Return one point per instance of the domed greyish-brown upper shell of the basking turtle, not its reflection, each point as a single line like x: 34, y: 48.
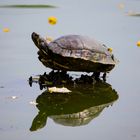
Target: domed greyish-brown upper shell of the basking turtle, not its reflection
x: 82, y: 47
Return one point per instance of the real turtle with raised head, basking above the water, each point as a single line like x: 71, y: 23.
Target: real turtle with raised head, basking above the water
x: 75, y: 53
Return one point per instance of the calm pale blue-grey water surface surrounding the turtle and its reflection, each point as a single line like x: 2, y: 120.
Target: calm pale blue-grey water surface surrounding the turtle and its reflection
x: 104, y: 21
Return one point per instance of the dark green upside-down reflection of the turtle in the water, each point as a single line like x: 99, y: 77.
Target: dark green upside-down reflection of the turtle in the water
x: 76, y: 108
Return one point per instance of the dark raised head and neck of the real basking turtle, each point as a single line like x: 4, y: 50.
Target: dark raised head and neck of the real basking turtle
x: 39, y: 41
